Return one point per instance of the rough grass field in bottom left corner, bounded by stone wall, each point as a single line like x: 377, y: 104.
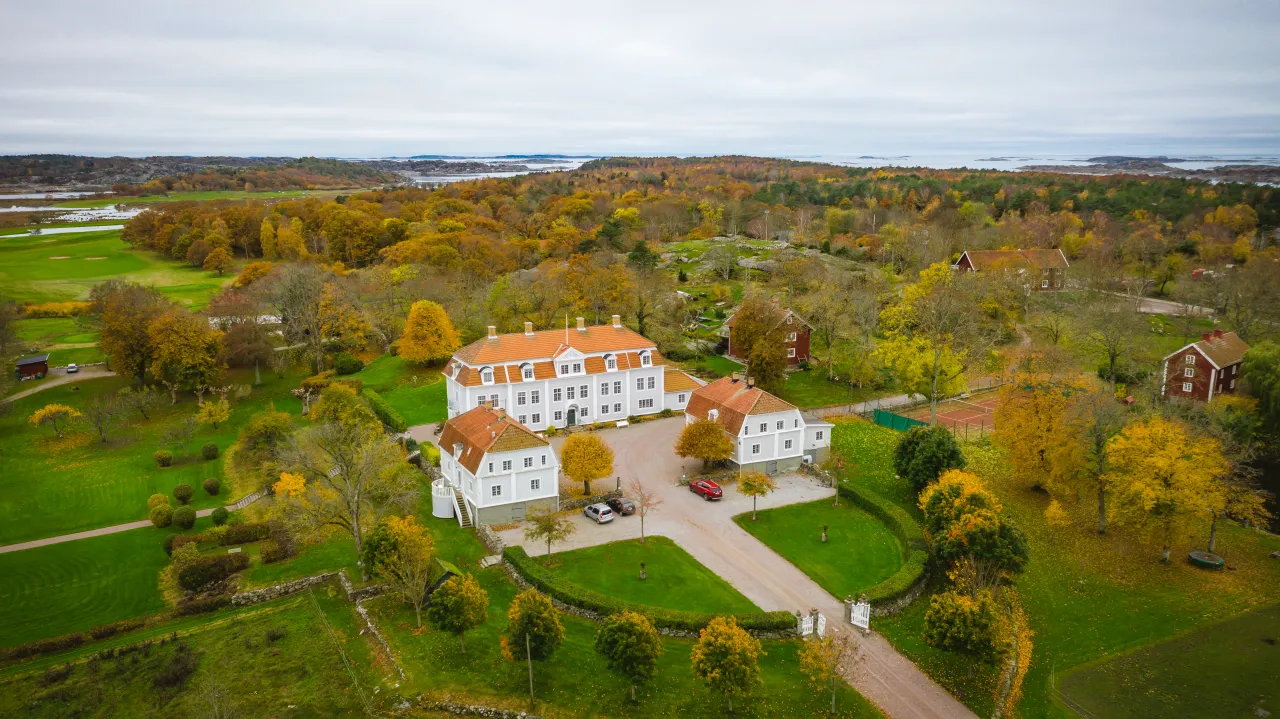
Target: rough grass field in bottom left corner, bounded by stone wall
x: 299, y: 674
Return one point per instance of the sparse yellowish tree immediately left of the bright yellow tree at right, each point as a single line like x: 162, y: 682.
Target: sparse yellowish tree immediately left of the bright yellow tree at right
x: 1080, y: 459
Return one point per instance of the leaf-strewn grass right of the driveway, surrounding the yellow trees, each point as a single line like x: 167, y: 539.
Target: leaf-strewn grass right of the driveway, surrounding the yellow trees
x: 1087, y: 597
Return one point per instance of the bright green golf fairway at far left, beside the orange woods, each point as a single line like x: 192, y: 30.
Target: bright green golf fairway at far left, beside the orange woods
x: 65, y: 268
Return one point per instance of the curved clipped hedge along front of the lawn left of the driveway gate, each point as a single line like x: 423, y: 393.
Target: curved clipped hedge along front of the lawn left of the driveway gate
x: 583, y: 598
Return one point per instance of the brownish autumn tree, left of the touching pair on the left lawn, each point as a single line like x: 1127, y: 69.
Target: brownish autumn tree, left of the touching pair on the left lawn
x: 126, y: 312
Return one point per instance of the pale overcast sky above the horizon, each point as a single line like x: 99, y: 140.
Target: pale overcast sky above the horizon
x: 639, y: 77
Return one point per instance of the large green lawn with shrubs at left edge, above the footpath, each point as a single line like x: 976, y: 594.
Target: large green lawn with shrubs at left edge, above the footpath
x: 53, y: 487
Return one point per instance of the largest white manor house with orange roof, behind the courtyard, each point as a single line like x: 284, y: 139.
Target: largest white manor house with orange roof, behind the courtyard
x: 566, y: 378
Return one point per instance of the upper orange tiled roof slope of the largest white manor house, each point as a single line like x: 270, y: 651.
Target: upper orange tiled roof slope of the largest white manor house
x: 545, y: 345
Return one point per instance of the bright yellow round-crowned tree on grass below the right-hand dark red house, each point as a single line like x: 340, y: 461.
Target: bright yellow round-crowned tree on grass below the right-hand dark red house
x: 1165, y: 477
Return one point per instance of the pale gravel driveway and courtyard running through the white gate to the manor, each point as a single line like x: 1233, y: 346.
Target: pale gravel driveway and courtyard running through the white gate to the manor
x: 707, y: 532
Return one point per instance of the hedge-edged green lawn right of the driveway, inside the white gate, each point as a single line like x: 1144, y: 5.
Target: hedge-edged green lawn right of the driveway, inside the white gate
x: 861, y: 552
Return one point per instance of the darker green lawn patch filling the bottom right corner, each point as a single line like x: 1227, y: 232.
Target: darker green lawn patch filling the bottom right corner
x: 1232, y: 670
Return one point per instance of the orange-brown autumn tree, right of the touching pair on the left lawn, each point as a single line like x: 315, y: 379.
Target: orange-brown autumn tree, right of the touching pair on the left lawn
x: 188, y: 351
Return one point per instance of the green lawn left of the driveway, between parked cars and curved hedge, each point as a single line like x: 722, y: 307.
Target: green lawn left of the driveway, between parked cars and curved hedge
x: 675, y: 579
